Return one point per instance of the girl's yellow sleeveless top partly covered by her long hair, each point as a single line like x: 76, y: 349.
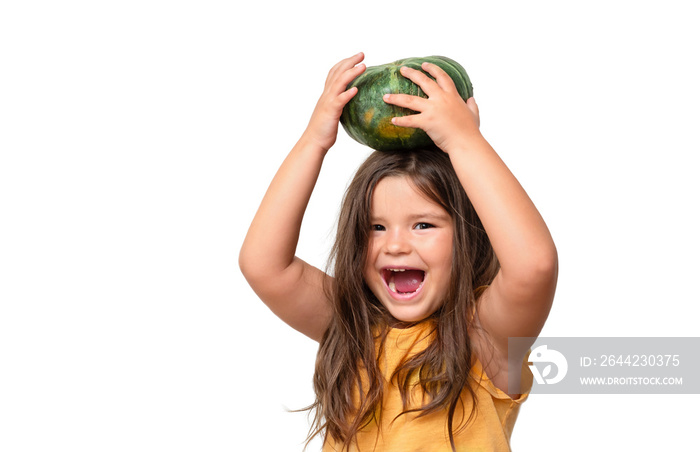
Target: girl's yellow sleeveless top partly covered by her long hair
x: 489, y: 430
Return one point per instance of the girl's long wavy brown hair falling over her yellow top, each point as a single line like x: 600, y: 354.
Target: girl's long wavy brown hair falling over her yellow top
x: 348, y: 382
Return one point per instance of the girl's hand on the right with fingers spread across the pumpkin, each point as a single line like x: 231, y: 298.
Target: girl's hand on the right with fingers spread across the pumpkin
x: 449, y: 121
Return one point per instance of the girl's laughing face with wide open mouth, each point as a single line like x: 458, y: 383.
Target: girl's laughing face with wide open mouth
x: 410, y: 250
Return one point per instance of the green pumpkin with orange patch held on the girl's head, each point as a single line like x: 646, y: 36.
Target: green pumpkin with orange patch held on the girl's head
x: 367, y: 118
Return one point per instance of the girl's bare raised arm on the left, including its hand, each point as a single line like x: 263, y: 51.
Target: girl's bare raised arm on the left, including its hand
x: 290, y: 287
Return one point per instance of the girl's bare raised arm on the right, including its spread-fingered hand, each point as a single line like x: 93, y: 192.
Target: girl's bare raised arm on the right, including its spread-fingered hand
x: 518, y: 301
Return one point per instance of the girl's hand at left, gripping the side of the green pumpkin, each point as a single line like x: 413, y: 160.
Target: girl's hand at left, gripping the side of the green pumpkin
x: 323, y: 125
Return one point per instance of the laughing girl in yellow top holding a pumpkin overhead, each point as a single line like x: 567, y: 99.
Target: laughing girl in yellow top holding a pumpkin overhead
x: 440, y: 257
